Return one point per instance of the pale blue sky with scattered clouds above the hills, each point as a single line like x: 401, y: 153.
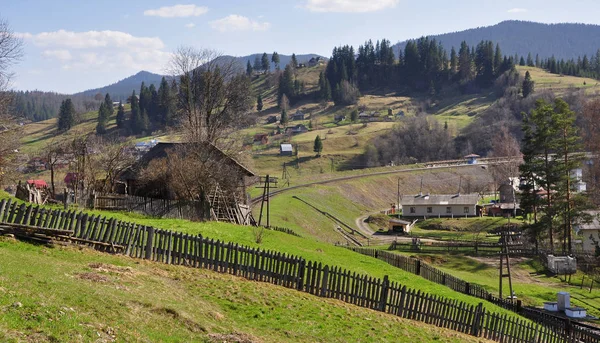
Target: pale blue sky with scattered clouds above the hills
x: 74, y: 45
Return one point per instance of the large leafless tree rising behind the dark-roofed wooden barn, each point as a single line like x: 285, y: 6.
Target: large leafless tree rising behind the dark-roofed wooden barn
x: 214, y: 96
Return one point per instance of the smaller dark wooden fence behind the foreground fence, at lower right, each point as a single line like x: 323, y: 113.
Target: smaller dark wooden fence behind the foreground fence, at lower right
x: 578, y: 331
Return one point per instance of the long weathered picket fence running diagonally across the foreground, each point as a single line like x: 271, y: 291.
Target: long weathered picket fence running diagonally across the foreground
x: 288, y: 271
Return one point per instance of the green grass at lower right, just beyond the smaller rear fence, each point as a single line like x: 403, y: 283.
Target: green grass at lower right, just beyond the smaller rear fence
x: 530, y: 284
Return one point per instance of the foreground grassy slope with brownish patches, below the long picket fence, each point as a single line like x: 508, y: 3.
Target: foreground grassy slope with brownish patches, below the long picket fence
x: 68, y: 294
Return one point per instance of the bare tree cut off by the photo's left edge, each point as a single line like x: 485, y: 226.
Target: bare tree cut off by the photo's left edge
x: 11, y: 51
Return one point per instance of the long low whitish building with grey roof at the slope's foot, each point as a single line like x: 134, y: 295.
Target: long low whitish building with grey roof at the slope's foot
x: 428, y: 206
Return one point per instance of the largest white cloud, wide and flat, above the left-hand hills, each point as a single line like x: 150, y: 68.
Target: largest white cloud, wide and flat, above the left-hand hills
x: 101, y: 50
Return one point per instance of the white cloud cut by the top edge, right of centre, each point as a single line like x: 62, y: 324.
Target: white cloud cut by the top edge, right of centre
x: 349, y: 6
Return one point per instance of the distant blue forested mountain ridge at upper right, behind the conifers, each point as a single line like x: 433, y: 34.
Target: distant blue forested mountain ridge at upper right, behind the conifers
x: 563, y: 41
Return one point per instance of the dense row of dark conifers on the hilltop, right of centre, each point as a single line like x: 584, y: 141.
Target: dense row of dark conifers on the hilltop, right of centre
x: 424, y: 66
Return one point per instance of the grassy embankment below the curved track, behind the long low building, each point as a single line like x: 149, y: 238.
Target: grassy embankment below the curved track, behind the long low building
x: 350, y: 199
